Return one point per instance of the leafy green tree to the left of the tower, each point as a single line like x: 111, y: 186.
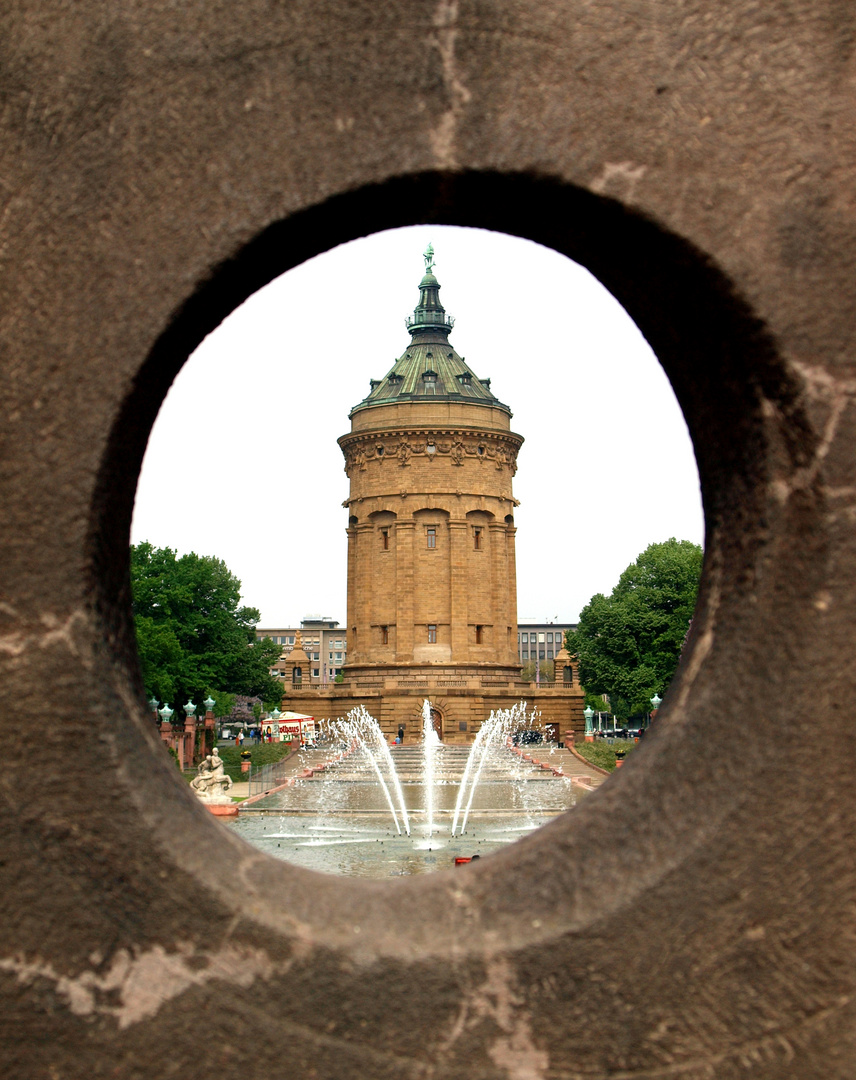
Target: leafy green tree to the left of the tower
x: 194, y: 637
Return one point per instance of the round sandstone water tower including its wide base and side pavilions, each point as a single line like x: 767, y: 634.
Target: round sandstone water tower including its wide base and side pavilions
x: 432, y: 591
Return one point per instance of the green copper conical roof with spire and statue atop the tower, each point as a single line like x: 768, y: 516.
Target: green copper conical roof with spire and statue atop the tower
x: 430, y: 369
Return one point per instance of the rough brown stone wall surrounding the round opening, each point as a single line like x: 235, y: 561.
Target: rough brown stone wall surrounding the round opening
x: 160, y: 163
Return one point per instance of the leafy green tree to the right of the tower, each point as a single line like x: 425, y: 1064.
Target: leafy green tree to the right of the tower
x: 629, y: 644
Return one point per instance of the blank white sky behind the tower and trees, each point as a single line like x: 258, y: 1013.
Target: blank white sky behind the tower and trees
x: 243, y: 462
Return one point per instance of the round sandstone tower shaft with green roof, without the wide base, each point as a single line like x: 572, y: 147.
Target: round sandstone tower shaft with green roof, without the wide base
x: 431, y: 560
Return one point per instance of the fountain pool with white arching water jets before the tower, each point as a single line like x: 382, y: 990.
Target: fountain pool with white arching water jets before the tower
x: 375, y: 812
